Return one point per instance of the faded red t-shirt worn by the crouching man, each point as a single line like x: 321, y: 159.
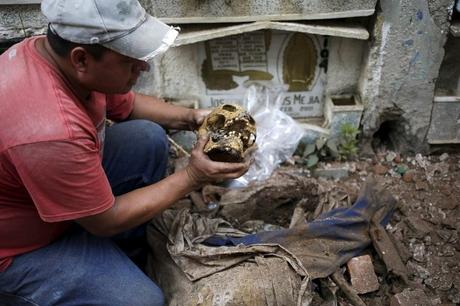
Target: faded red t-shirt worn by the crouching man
x: 50, y: 151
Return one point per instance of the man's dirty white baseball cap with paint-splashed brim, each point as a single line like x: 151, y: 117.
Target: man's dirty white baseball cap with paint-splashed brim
x: 120, y: 25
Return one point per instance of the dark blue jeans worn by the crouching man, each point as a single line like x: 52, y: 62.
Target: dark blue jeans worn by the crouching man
x: 80, y: 268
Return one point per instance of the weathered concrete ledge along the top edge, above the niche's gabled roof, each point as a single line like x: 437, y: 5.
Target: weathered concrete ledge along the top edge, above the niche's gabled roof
x: 205, y: 11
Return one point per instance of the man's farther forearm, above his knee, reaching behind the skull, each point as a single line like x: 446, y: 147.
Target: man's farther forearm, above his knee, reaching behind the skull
x: 165, y: 114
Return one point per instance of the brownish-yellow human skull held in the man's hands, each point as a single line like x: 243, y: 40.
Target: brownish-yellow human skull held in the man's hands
x: 231, y: 132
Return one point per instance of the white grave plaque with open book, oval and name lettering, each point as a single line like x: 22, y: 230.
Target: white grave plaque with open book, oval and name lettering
x: 293, y: 64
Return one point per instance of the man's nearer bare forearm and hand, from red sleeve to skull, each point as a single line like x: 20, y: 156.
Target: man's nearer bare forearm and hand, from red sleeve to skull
x: 139, y: 206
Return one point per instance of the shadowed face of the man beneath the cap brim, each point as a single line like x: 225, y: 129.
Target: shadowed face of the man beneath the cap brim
x: 113, y: 73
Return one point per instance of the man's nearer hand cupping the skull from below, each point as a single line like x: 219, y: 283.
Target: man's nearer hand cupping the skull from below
x: 203, y: 170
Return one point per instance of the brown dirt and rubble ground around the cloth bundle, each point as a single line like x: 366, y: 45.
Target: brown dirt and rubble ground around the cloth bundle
x: 425, y: 226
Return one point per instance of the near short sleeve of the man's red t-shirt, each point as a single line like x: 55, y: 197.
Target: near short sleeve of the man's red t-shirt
x: 65, y: 179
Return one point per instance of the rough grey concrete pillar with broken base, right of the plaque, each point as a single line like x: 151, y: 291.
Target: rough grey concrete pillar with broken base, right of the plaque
x: 402, y: 64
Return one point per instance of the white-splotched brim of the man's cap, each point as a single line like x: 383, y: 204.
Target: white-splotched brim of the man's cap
x: 151, y: 38
